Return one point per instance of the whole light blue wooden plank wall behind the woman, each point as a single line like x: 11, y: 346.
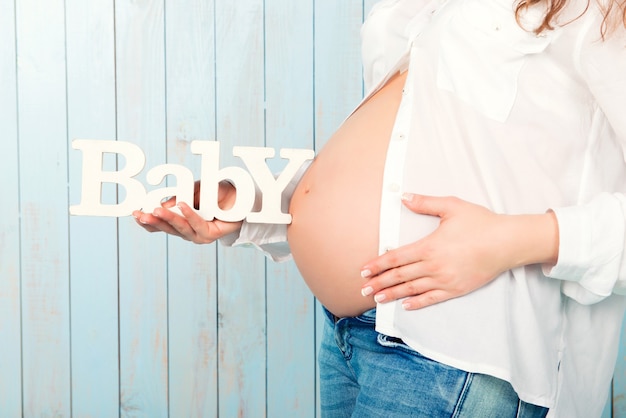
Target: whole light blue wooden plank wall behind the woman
x: 99, y: 318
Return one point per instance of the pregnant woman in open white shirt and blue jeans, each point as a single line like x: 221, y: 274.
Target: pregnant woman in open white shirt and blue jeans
x: 465, y: 226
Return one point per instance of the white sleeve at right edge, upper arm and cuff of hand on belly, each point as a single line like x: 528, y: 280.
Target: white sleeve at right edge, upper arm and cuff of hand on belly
x: 592, y: 257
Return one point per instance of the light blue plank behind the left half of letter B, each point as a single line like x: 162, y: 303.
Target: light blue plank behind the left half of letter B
x: 93, y: 240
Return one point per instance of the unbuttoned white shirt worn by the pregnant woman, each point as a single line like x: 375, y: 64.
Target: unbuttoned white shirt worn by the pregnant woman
x: 518, y: 123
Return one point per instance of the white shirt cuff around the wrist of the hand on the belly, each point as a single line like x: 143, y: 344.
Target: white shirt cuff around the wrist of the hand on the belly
x: 591, y: 247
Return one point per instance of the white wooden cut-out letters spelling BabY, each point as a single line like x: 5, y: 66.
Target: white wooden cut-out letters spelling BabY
x: 211, y: 174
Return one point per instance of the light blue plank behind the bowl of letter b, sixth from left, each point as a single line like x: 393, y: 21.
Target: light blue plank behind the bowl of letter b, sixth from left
x: 241, y: 275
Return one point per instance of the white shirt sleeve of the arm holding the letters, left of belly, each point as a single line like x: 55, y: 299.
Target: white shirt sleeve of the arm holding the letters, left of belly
x: 270, y: 239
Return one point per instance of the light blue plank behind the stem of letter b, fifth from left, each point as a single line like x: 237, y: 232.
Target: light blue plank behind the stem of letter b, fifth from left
x: 192, y: 269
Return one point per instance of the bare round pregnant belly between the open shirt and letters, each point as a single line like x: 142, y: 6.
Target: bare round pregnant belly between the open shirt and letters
x: 335, y: 208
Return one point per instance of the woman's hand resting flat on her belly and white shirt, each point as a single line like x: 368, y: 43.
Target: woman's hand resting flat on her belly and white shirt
x: 471, y: 246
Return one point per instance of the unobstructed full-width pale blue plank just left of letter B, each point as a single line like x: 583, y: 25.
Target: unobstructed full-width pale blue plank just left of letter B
x: 43, y: 192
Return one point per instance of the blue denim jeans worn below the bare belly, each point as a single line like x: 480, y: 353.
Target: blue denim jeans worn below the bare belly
x: 367, y: 374
